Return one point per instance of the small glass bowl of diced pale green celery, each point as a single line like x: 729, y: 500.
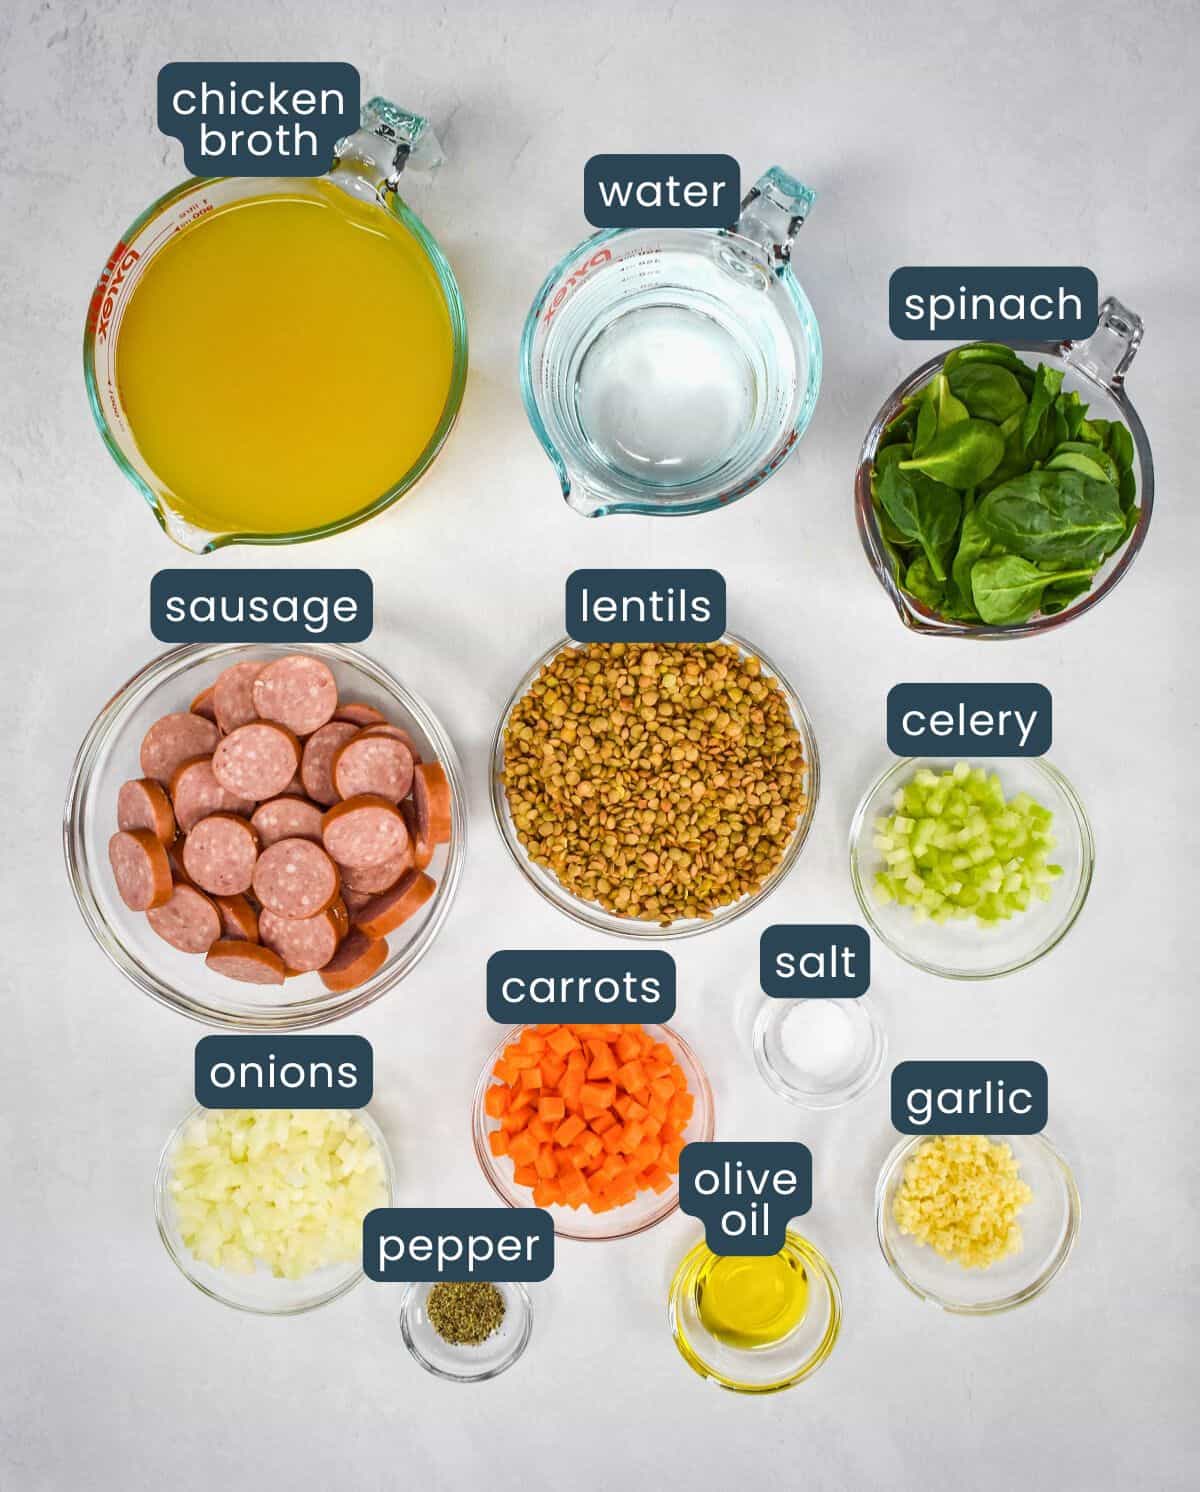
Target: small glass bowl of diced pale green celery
x: 971, y: 869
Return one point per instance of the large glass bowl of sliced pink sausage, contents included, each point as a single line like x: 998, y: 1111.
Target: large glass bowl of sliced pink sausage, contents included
x: 263, y: 838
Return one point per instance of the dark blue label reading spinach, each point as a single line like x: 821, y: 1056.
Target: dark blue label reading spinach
x: 957, y: 304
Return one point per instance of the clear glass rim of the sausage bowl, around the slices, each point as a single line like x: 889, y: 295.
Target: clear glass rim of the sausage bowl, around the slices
x: 299, y: 1015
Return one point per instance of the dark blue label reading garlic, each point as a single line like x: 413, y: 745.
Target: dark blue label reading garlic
x: 969, y: 1097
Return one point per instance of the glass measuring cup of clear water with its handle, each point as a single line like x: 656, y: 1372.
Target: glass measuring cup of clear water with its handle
x: 672, y: 371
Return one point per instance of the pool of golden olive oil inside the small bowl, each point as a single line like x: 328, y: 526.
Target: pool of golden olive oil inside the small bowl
x: 753, y: 1302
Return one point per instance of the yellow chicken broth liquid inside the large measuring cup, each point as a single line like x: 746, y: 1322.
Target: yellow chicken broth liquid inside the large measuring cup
x: 286, y: 360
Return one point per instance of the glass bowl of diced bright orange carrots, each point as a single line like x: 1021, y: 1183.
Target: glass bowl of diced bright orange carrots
x: 589, y: 1121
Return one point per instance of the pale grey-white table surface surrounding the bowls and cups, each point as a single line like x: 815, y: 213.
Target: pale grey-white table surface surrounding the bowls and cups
x: 984, y: 134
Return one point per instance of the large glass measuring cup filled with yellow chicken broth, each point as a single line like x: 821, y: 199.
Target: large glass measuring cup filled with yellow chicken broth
x: 278, y: 359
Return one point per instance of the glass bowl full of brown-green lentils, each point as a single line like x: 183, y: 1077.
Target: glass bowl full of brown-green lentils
x: 654, y: 790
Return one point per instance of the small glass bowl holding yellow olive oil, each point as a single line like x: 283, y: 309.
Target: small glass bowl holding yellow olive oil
x: 756, y: 1326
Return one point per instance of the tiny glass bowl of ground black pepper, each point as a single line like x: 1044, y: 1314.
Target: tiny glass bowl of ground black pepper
x: 466, y: 1332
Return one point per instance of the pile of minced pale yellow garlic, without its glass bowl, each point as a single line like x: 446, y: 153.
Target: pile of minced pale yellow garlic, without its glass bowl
x: 962, y: 1194
